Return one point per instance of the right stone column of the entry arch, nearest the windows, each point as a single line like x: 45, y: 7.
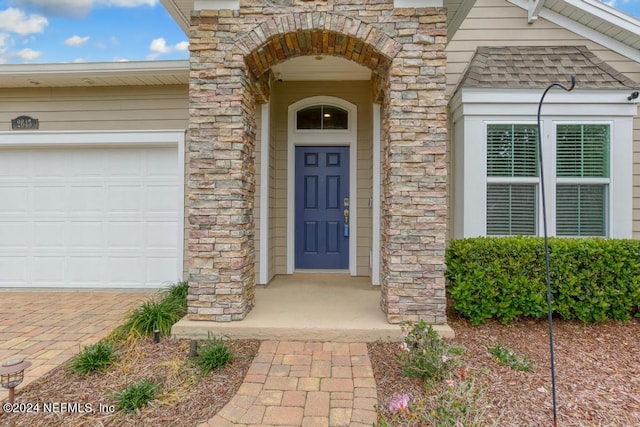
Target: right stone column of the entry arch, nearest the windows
x: 414, y: 208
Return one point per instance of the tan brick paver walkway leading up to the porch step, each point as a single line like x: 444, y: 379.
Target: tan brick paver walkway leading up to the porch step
x: 304, y: 384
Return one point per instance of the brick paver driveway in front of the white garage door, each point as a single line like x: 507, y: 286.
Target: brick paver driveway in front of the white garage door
x: 48, y: 327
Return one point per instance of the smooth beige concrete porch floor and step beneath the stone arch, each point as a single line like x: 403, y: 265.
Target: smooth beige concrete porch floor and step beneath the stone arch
x: 309, y: 307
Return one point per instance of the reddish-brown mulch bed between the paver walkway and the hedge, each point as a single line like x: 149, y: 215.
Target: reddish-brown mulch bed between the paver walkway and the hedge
x: 597, y: 370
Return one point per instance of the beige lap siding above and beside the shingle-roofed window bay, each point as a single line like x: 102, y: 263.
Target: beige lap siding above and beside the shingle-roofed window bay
x: 500, y: 23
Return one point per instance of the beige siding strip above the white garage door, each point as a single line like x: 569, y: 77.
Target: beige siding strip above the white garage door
x: 100, y: 108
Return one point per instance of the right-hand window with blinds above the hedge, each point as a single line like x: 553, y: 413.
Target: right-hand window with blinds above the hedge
x: 582, y: 179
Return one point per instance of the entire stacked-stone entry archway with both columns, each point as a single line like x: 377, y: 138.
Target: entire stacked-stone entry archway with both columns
x: 231, y: 53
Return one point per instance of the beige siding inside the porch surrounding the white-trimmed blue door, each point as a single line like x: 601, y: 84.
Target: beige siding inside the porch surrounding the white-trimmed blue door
x: 287, y: 93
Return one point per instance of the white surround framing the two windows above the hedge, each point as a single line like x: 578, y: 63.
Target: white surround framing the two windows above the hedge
x: 473, y: 108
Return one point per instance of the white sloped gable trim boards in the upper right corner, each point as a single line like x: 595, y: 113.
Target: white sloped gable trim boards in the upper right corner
x: 584, y: 31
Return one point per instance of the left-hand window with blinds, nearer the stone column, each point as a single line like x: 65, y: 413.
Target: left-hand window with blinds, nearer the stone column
x: 512, y: 179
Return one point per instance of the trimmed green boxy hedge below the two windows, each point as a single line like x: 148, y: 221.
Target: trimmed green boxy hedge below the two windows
x: 504, y: 278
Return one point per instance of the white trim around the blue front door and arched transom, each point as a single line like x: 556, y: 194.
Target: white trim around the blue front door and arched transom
x: 350, y: 138
